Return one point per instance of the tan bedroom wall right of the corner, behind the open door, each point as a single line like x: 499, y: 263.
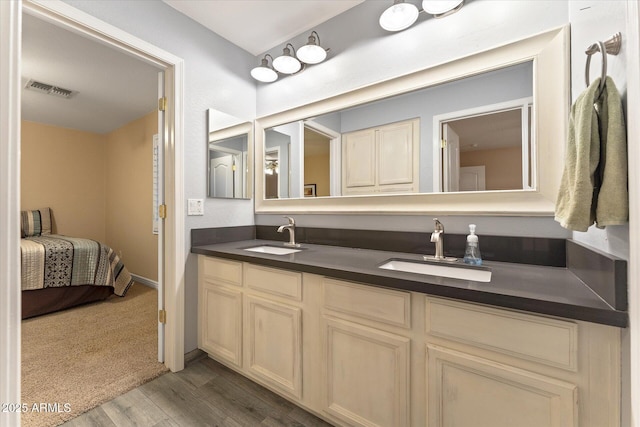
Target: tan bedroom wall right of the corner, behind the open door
x: 129, y: 195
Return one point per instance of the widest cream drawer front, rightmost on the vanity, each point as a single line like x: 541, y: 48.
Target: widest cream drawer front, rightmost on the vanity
x: 548, y: 341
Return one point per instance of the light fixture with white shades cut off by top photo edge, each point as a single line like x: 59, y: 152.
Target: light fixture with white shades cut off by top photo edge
x: 402, y: 15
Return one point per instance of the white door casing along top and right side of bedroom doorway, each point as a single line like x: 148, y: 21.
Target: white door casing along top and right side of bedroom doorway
x: 88, y: 26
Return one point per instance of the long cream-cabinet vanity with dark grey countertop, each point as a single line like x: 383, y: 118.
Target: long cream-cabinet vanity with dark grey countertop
x: 358, y: 345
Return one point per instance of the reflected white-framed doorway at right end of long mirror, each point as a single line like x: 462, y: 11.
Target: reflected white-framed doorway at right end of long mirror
x: 494, y: 141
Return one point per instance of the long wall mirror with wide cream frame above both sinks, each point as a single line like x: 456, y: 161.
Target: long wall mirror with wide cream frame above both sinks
x: 482, y: 134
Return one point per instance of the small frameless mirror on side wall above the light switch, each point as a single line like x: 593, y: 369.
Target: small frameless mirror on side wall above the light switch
x: 229, y: 143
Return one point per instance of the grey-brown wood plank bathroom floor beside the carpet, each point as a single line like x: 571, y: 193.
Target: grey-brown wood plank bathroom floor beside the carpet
x: 205, y: 393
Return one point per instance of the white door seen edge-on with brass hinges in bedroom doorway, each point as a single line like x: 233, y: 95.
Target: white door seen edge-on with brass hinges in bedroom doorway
x: 161, y: 202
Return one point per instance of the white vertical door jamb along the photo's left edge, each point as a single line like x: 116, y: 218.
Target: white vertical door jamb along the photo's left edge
x: 10, y: 298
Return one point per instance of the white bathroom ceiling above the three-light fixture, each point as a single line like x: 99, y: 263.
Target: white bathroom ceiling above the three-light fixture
x: 259, y: 25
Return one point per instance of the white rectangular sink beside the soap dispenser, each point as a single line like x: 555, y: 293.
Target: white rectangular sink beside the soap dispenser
x: 464, y: 272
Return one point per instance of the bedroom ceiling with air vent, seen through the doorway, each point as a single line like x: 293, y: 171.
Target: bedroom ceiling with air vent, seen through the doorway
x: 113, y: 88
